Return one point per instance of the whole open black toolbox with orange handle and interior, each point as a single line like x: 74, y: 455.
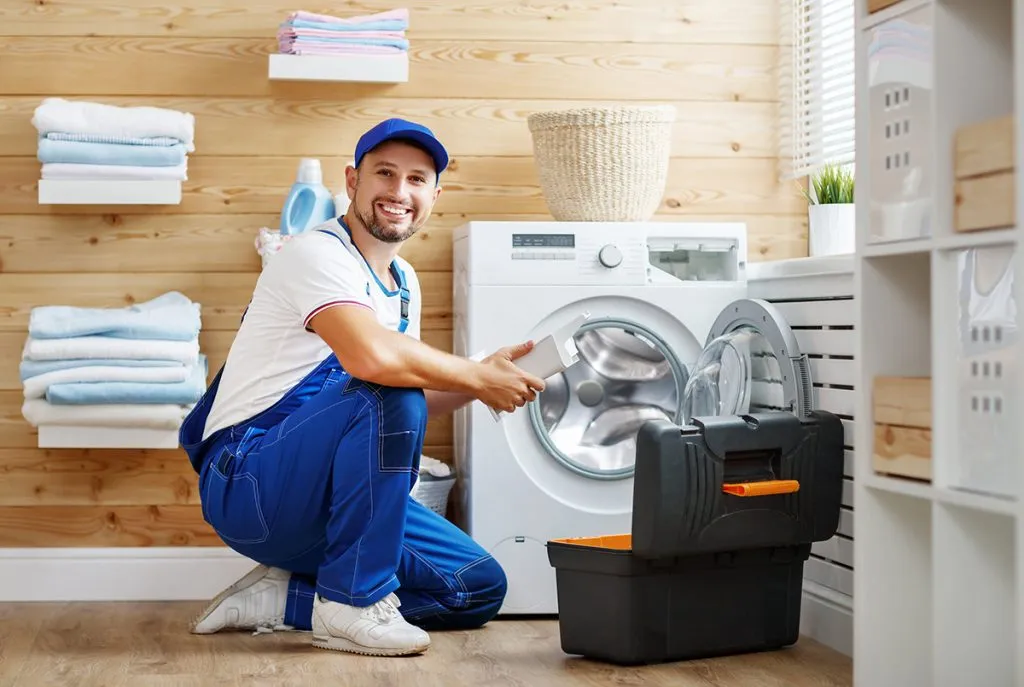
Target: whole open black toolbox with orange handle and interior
x: 724, y: 514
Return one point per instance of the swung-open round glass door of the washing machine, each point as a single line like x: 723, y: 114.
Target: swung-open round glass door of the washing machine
x: 751, y: 364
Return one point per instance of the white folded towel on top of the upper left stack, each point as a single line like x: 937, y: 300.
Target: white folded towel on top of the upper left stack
x: 63, y: 116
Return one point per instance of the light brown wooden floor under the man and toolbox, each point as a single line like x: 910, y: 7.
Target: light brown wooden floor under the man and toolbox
x: 148, y: 646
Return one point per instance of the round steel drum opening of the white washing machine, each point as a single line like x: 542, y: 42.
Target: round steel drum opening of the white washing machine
x: 588, y: 416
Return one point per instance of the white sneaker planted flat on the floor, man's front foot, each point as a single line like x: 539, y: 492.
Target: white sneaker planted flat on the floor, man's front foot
x: 374, y: 631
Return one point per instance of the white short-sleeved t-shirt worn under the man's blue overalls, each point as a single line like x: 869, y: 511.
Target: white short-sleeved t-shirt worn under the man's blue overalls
x: 274, y: 350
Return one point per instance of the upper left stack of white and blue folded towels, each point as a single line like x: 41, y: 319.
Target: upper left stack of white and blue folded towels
x: 91, y: 141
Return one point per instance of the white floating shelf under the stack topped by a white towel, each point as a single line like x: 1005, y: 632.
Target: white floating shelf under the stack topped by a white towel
x: 110, y: 192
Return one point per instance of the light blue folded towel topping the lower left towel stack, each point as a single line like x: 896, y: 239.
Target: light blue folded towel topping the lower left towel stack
x: 170, y: 317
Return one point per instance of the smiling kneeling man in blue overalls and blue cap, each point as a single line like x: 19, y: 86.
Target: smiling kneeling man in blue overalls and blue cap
x: 308, y: 443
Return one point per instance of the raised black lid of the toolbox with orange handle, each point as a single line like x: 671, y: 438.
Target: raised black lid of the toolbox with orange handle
x: 735, y: 483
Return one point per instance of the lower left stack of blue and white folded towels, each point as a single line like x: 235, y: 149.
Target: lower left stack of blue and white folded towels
x: 134, y: 367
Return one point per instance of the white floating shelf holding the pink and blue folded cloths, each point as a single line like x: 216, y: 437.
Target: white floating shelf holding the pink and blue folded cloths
x: 390, y: 69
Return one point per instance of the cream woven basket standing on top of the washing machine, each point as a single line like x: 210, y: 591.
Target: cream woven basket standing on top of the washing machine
x: 604, y: 164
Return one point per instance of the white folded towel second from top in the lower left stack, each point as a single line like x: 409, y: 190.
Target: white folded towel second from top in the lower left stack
x: 186, y: 353
